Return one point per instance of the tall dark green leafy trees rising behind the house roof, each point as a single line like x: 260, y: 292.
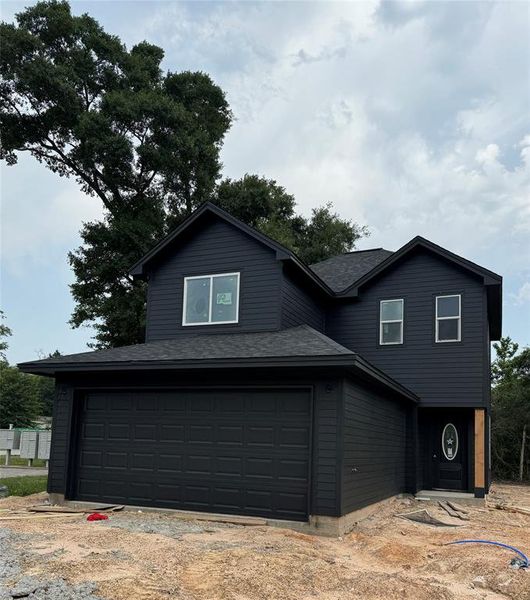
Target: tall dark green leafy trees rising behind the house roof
x: 145, y: 142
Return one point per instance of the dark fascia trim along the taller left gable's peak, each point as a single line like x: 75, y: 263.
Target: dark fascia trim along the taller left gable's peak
x: 282, y: 253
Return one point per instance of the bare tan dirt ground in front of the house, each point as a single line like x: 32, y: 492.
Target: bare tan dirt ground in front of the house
x: 151, y: 556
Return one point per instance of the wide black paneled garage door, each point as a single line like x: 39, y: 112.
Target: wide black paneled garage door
x: 231, y: 451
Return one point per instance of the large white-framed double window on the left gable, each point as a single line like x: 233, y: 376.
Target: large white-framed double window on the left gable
x: 211, y: 299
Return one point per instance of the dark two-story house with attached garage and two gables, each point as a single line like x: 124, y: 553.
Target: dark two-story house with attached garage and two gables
x: 272, y: 388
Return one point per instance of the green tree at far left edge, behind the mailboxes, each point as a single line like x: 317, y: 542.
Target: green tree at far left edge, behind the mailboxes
x: 19, y: 401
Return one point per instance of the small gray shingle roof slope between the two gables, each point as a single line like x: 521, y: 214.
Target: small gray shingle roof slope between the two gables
x: 339, y: 272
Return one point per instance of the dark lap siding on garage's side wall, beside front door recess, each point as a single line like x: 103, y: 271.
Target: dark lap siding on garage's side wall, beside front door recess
x: 375, y: 442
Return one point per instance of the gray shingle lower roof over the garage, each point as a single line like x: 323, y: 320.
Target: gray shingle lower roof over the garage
x: 300, y: 346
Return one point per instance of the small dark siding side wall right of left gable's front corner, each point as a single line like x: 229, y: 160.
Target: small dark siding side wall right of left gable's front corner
x: 298, y: 307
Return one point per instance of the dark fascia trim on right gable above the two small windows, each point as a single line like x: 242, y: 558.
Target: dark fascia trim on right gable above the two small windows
x: 489, y: 277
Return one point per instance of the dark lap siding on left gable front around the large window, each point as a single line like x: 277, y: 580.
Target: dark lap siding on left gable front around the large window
x: 217, y: 248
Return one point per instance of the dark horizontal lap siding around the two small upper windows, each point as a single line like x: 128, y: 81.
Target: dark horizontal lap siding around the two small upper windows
x: 442, y: 374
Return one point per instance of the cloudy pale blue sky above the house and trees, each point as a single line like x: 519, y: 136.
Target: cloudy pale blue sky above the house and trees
x: 411, y: 118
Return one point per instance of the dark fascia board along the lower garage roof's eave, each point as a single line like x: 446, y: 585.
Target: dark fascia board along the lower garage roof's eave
x: 351, y: 362
